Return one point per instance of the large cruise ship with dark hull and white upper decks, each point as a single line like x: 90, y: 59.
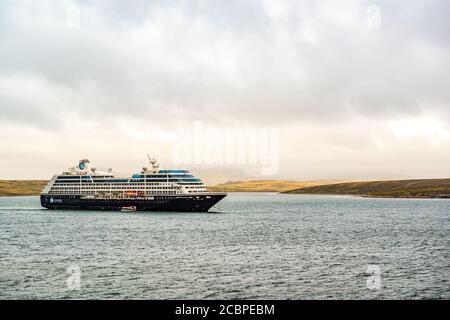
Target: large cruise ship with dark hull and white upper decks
x: 153, y: 189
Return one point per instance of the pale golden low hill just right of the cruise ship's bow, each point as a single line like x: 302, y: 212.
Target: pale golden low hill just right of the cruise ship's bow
x: 267, y: 185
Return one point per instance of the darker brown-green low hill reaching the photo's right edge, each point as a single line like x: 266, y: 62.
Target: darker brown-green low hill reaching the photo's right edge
x: 421, y: 188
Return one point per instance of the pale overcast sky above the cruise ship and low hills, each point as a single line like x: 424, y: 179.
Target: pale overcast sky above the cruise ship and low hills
x: 357, y: 89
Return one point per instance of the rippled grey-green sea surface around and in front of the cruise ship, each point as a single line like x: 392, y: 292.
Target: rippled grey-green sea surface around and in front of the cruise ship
x: 255, y: 246
